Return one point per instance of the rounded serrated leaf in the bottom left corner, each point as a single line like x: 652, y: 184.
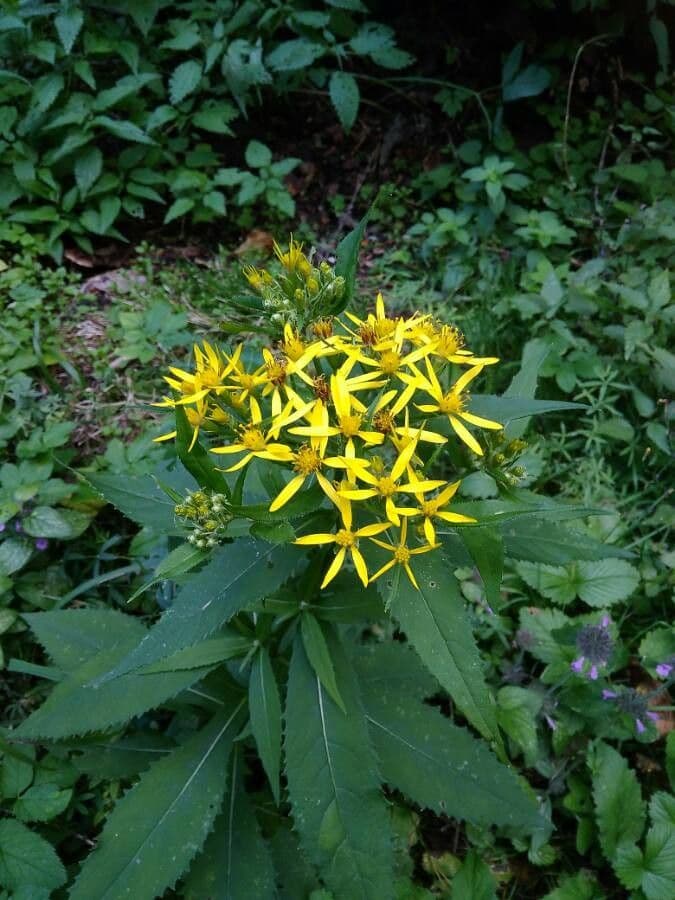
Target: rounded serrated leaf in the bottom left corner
x: 27, y: 859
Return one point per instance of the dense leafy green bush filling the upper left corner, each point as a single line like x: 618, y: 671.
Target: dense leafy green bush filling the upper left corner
x: 111, y: 115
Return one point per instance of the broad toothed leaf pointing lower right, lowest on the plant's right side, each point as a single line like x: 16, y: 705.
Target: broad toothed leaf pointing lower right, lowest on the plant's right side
x: 439, y: 765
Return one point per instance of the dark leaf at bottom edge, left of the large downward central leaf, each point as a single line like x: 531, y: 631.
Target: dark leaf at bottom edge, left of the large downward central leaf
x: 235, y: 863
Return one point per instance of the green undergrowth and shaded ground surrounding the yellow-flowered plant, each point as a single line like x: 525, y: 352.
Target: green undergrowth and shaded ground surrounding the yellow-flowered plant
x: 522, y: 163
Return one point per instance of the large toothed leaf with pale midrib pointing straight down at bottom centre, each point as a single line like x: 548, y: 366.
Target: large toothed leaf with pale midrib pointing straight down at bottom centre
x: 333, y: 784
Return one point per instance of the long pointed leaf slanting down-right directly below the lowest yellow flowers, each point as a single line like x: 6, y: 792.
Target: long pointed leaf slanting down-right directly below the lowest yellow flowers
x: 437, y: 625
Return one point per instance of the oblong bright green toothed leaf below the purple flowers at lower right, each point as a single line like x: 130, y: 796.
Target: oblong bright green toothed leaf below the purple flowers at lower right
x: 619, y: 808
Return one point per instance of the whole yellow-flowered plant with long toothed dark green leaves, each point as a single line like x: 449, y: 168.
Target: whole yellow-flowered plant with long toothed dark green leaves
x: 313, y: 524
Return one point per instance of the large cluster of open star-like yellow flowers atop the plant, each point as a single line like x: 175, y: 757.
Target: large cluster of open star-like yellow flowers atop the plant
x: 347, y: 407
